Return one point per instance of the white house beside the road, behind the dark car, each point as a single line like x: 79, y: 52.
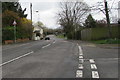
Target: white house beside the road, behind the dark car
x: 37, y: 33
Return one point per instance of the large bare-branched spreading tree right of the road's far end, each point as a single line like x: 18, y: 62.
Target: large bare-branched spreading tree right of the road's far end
x: 71, y: 14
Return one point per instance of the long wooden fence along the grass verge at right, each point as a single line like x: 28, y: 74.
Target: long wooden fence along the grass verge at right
x: 99, y: 33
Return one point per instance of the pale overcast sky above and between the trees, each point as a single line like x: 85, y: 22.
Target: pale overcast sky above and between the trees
x: 48, y: 9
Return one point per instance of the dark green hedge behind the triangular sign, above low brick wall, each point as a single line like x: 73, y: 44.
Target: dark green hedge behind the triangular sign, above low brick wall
x: 8, y: 33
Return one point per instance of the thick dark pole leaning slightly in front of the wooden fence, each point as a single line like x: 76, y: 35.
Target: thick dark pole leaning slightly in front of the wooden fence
x: 108, y: 20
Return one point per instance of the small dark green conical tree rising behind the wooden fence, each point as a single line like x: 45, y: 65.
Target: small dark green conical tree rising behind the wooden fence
x: 90, y: 22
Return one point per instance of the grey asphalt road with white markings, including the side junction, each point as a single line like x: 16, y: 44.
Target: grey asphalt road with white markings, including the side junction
x: 58, y: 58
